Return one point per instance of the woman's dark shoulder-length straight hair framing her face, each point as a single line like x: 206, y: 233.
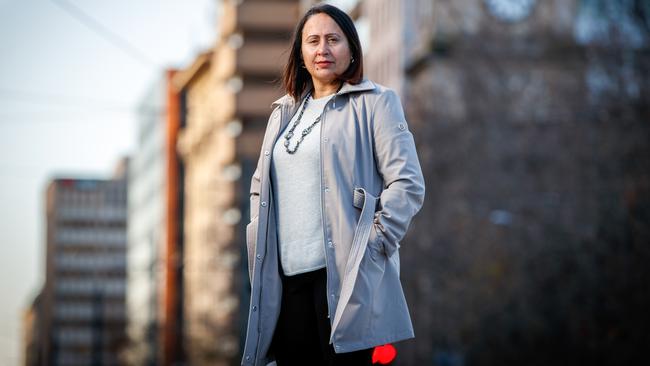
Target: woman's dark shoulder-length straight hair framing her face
x: 296, y: 78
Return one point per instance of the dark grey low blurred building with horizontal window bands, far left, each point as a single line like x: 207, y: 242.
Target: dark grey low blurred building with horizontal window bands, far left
x: 83, y: 301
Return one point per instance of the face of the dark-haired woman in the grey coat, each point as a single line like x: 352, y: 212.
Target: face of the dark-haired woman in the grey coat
x: 325, y: 49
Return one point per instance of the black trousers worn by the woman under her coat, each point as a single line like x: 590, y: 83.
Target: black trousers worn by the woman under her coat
x: 302, y: 334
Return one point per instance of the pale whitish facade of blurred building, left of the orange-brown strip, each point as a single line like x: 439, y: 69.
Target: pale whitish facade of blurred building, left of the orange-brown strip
x: 146, y: 232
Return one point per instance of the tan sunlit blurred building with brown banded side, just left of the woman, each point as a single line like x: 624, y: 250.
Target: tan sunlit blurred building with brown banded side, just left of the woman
x: 226, y: 97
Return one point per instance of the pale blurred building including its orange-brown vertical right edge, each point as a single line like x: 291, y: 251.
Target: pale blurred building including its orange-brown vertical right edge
x: 154, y: 276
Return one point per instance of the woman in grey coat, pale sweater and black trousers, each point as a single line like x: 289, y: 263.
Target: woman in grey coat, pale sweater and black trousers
x: 336, y: 185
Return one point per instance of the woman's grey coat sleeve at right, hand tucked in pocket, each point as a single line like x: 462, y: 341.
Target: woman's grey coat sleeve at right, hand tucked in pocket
x: 397, y: 163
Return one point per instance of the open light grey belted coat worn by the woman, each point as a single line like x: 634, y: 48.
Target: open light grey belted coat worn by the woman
x: 371, y: 187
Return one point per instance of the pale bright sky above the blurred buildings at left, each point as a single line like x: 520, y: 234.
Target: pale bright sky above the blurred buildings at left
x: 72, y: 73
